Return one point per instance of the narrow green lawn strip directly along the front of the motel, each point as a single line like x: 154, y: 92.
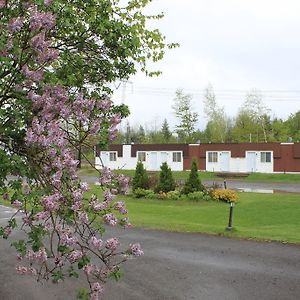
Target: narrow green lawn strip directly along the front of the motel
x: 254, y: 177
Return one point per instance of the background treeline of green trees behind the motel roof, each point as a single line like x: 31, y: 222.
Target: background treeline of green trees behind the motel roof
x: 254, y: 122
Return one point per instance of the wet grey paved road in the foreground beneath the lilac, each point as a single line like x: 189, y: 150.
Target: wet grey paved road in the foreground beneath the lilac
x: 179, y: 267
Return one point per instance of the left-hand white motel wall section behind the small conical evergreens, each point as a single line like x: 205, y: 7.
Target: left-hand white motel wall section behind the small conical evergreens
x: 129, y: 163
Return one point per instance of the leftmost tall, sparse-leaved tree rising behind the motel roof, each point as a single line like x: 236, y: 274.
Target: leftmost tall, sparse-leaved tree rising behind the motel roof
x: 187, y: 118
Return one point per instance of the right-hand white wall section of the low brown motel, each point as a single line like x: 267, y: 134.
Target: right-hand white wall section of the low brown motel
x: 241, y: 164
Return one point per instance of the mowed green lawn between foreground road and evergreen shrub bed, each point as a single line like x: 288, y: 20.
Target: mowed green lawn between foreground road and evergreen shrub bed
x: 256, y: 216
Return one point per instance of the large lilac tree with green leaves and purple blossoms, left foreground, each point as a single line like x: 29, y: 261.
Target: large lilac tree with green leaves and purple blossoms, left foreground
x: 57, y: 62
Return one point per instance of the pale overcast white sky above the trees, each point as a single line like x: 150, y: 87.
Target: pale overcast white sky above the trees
x: 234, y: 45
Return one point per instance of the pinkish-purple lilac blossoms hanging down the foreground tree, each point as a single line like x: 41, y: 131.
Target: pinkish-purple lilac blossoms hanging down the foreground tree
x: 70, y: 220
